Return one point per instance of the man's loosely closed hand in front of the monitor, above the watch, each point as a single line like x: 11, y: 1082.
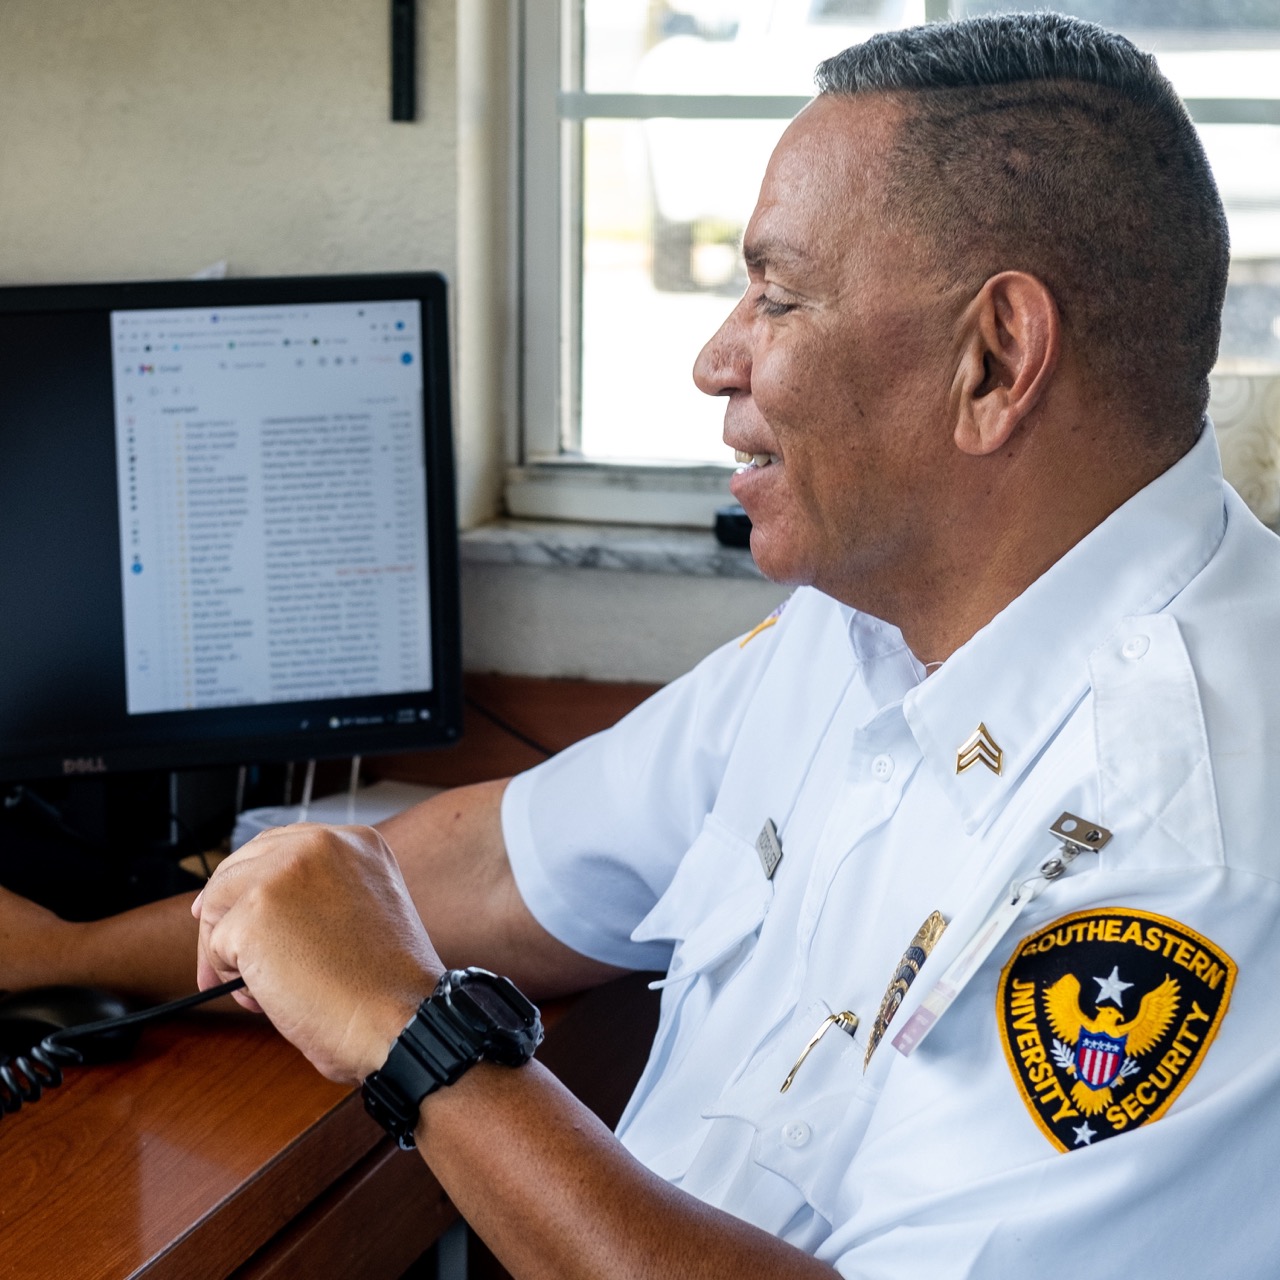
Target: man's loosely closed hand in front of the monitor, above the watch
x: 321, y: 926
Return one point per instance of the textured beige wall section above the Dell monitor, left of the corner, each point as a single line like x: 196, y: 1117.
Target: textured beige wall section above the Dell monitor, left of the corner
x: 150, y: 138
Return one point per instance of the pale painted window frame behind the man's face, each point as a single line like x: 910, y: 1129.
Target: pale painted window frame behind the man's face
x: 546, y: 479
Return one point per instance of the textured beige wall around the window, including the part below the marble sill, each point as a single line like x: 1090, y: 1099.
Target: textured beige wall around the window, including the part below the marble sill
x: 148, y: 139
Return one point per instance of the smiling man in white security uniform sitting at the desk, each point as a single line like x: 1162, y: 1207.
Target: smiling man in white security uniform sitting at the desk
x: 918, y: 1034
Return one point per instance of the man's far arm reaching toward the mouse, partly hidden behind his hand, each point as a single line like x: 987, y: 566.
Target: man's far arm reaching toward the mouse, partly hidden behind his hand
x: 454, y: 860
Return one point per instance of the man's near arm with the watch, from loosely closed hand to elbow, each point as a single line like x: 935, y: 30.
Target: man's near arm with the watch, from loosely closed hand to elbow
x: 323, y: 929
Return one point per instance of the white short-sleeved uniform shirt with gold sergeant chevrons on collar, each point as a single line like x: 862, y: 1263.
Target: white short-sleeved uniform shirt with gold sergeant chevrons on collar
x: 1133, y: 685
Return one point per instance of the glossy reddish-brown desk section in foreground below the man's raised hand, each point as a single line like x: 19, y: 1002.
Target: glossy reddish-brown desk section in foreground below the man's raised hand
x: 216, y: 1151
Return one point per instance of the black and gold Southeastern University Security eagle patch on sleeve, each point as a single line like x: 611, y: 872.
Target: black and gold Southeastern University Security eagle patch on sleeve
x: 1105, y: 1016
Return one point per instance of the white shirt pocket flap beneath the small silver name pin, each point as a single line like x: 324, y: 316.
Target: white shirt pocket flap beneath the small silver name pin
x: 714, y: 907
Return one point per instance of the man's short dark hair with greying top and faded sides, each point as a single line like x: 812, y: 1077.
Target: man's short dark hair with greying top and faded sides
x: 1049, y: 145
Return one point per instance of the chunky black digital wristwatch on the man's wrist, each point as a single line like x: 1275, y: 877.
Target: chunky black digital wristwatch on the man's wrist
x: 473, y: 1014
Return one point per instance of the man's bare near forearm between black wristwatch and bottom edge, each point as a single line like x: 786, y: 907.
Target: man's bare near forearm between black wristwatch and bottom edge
x: 556, y: 1195
